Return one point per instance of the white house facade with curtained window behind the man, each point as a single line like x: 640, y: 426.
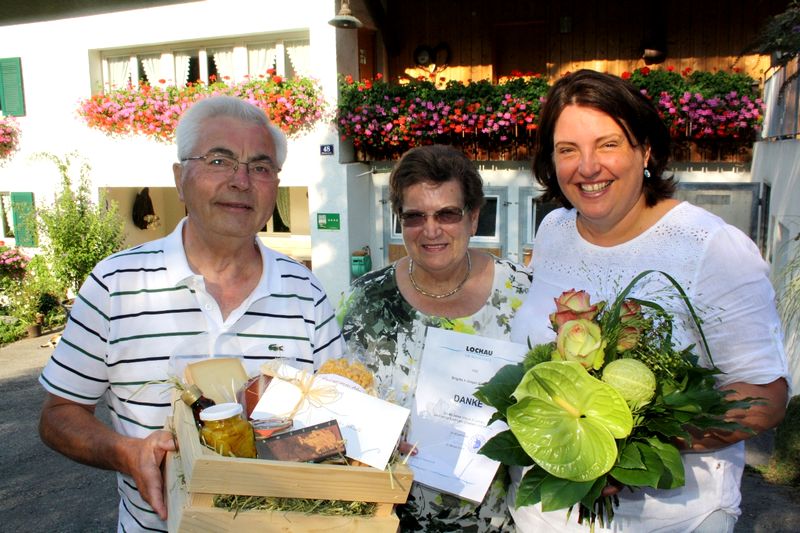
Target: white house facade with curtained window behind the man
x: 65, y: 59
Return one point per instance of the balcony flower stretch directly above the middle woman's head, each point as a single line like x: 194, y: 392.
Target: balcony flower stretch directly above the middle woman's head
x: 488, y: 121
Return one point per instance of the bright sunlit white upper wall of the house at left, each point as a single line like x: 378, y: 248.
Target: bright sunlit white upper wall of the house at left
x: 56, y: 72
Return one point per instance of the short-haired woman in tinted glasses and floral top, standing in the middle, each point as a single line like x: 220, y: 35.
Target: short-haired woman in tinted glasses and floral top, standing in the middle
x: 437, y: 194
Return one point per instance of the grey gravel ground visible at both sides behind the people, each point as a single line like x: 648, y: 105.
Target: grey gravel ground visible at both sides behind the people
x: 43, y: 491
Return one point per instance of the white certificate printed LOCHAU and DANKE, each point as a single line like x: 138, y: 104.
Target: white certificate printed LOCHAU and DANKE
x: 448, y: 424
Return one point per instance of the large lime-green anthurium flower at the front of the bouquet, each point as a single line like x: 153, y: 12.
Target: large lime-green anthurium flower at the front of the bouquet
x: 567, y: 420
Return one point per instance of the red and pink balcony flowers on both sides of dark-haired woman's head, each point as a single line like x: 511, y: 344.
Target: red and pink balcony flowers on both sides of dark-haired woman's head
x: 711, y: 116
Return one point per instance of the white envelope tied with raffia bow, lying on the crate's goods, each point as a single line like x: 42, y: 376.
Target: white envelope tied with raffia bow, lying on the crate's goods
x: 370, y: 426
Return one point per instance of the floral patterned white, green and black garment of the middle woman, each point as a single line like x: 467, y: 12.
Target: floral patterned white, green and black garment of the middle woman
x: 384, y: 332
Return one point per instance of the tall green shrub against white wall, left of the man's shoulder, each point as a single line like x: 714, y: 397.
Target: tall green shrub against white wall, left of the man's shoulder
x: 79, y: 233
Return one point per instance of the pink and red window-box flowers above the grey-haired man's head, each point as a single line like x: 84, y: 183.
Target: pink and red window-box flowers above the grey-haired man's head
x: 294, y: 105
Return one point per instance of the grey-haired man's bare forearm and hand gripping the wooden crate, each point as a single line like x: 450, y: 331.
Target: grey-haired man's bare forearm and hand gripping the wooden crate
x: 72, y: 429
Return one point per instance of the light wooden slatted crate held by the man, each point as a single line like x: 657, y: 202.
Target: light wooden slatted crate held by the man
x: 195, y: 474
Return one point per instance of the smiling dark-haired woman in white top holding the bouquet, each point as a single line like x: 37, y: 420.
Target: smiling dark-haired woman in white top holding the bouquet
x: 602, y: 150
